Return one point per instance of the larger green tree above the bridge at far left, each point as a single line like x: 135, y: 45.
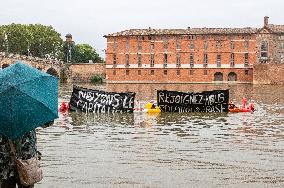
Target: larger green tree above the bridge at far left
x: 33, y: 39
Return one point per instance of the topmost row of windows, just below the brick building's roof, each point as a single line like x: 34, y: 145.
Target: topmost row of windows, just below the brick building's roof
x: 178, y: 45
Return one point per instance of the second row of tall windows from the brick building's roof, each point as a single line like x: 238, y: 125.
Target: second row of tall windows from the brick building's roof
x: 178, y: 60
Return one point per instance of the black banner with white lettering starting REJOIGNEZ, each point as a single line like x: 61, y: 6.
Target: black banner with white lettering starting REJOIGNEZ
x: 207, y: 101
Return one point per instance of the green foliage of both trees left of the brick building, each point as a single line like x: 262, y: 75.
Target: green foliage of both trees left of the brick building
x: 43, y: 41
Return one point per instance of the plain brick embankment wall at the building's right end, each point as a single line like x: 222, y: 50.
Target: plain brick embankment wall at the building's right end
x: 269, y: 73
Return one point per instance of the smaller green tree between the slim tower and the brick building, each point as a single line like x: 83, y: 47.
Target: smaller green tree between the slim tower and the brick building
x: 85, y: 52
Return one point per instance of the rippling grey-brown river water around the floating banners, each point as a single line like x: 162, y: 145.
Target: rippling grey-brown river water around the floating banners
x: 170, y: 149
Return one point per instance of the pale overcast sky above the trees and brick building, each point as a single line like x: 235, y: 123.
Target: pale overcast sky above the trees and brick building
x: 89, y: 20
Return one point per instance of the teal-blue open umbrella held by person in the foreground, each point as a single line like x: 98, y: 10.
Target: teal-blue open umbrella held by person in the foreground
x: 28, y: 99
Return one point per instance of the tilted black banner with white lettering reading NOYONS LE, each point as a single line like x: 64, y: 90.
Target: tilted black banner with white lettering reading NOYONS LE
x: 88, y: 100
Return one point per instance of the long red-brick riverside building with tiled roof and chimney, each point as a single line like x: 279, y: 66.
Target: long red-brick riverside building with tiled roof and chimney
x: 193, y: 55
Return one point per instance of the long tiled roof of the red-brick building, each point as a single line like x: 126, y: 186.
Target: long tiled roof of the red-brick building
x: 189, y: 31
